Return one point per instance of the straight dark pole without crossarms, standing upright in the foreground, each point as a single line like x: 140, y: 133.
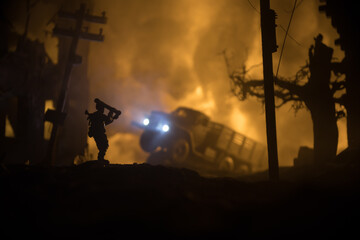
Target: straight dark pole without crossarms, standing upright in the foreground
x: 268, y: 35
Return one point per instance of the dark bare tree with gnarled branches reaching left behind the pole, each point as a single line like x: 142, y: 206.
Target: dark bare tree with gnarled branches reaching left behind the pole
x: 311, y: 87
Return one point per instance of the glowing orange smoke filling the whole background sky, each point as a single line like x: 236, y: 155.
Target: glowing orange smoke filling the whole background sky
x: 161, y: 54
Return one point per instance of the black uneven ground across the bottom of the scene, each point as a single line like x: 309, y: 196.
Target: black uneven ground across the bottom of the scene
x: 126, y: 201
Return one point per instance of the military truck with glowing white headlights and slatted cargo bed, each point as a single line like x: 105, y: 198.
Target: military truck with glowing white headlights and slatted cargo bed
x: 188, y: 138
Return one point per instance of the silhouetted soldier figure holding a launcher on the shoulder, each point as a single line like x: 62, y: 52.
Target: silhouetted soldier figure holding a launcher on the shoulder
x: 97, y: 122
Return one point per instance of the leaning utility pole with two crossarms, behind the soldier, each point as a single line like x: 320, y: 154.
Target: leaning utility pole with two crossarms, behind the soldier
x: 57, y: 116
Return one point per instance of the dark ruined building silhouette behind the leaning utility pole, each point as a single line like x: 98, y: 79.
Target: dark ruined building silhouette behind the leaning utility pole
x: 29, y: 84
